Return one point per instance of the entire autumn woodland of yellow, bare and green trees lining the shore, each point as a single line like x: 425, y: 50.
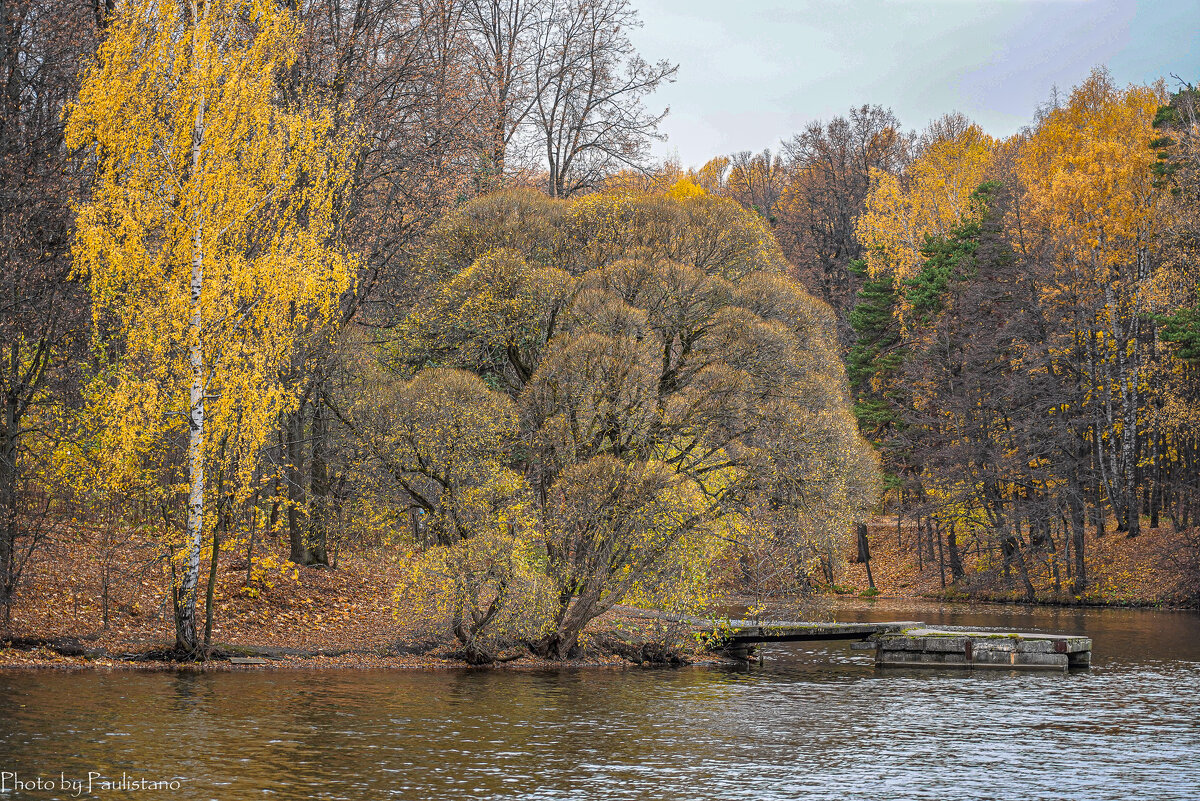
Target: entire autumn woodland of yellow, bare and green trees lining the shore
x: 295, y: 280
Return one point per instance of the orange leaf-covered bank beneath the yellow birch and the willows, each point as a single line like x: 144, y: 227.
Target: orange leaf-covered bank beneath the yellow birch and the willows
x: 70, y: 617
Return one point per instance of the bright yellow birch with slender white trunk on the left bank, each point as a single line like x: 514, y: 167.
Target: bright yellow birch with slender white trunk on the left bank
x: 206, y: 240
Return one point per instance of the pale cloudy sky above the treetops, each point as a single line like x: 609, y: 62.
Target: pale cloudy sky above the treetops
x: 754, y: 73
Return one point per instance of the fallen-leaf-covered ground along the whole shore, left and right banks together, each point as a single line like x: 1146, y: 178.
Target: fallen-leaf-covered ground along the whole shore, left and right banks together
x: 73, y: 616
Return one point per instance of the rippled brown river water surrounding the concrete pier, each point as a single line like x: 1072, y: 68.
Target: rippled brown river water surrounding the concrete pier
x: 815, y: 721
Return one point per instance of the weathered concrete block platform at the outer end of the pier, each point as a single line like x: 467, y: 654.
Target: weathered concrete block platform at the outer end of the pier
x: 934, y: 648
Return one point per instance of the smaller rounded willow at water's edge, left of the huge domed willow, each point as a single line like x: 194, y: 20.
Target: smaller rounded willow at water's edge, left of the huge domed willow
x: 447, y: 441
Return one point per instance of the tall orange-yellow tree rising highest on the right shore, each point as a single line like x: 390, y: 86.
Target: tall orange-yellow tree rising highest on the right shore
x: 1091, y: 191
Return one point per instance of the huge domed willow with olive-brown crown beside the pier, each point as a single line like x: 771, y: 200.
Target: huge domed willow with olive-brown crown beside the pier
x: 675, y: 389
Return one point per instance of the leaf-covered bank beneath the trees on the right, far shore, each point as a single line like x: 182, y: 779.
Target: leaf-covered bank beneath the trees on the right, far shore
x: 1161, y: 569
